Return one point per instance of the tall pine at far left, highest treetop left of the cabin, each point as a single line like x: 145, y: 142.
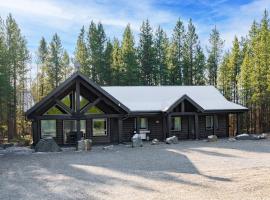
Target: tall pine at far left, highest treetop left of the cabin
x: 18, y: 56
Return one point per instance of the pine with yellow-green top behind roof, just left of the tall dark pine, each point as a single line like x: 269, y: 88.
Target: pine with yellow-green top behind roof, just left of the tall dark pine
x: 129, y: 57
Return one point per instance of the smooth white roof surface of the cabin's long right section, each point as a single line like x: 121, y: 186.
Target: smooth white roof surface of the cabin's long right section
x: 161, y: 98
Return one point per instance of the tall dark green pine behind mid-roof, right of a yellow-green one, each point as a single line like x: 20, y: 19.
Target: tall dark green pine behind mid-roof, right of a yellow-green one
x: 146, y: 54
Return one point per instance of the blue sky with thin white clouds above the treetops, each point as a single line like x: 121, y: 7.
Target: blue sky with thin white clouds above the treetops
x: 39, y: 18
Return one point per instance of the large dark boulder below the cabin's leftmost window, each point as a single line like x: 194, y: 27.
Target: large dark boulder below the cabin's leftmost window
x: 47, y: 145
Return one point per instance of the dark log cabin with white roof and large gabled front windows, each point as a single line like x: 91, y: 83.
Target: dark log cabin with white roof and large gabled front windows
x: 80, y: 108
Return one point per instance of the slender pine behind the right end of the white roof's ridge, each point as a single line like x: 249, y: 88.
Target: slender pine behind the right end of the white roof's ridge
x: 214, y: 55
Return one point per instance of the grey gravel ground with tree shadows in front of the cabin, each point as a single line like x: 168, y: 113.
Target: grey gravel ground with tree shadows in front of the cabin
x: 188, y: 170
